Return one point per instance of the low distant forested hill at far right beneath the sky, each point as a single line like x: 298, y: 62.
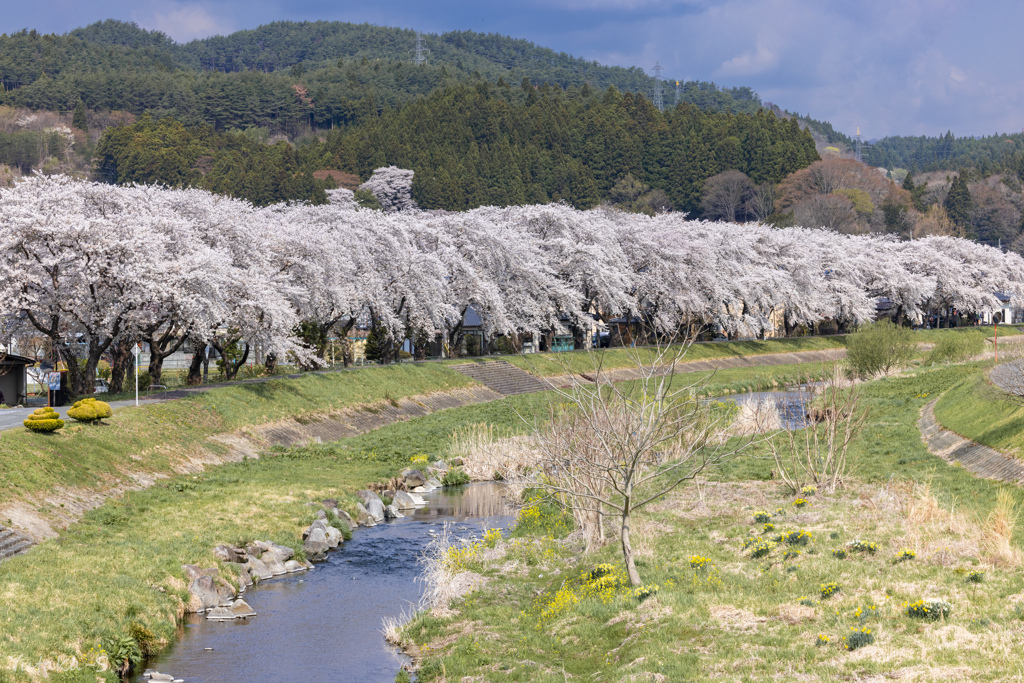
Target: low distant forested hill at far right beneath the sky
x: 993, y: 154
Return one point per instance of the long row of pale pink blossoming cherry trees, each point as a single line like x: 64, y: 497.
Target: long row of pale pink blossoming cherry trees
x: 99, y: 269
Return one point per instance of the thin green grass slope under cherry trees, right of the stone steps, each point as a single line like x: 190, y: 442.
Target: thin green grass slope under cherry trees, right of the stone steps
x: 584, y: 362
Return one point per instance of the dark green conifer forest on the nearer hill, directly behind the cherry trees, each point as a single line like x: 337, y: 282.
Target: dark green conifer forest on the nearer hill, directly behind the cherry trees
x: 480, y: 145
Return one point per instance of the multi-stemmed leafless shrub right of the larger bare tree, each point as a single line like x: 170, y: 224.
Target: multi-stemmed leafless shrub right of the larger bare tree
x: 810, y: 449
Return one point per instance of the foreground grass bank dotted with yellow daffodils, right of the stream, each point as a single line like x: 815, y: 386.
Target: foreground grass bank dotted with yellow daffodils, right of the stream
x: 545, y: 615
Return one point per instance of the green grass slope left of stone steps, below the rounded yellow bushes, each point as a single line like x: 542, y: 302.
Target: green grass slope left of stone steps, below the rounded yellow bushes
x: 154, y: 439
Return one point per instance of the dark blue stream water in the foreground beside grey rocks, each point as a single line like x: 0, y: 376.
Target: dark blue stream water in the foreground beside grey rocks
x: 325, y: 625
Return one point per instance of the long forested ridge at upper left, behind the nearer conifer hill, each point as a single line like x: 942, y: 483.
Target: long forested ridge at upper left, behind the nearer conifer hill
x: 286, y: 75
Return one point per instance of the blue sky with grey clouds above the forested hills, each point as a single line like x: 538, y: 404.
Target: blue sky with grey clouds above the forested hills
x: 888, y: 67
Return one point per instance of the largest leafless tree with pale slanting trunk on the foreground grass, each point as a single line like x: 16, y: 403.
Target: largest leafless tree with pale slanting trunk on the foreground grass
x: 613, y: 448
